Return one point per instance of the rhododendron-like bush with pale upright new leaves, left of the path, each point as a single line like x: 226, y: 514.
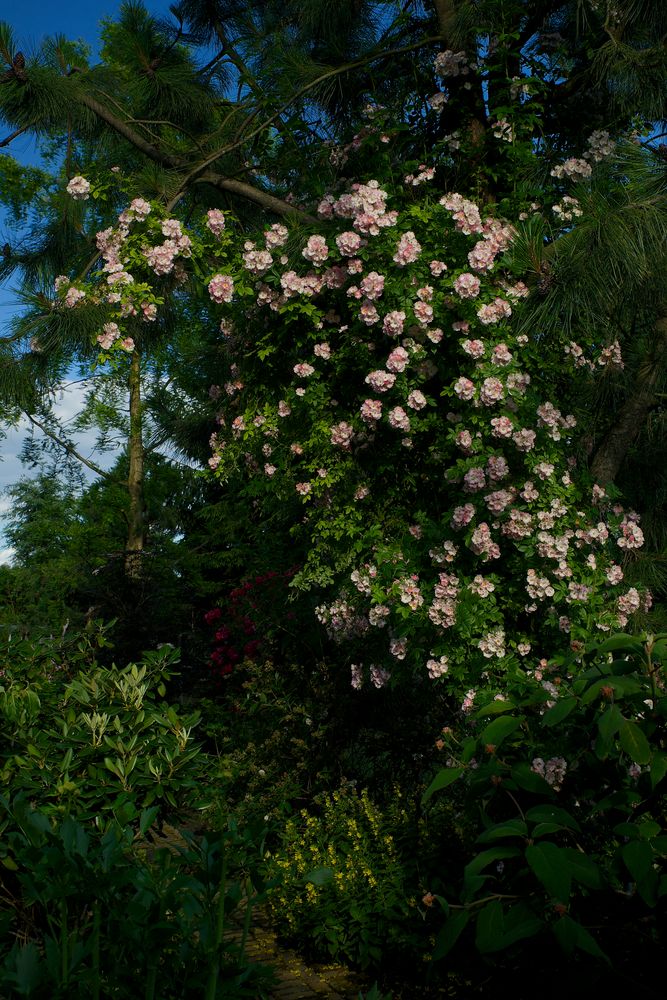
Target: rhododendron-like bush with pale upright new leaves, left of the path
x: 102, y: 740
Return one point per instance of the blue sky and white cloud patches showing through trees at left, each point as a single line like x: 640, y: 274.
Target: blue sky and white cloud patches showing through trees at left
x: 32, y: 21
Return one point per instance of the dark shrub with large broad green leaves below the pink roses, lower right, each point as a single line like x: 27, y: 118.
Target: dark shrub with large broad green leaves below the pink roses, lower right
x: 561, y: 780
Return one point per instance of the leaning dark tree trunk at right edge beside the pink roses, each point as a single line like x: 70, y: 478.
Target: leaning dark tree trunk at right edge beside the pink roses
x: 614, y: 447
